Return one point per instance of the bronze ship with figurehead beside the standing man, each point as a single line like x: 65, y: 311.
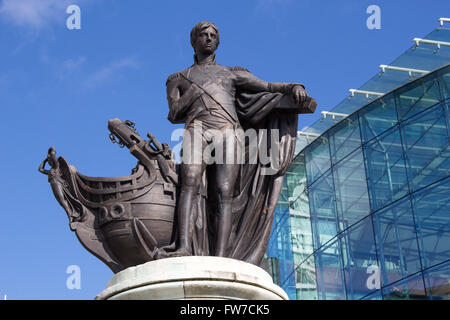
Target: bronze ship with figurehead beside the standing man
x: 124, y: 221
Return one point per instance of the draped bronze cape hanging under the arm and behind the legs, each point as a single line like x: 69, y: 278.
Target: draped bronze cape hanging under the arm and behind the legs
x: 257, y: 192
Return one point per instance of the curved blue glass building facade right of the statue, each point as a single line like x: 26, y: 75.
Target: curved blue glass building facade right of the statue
x: 365, y: 207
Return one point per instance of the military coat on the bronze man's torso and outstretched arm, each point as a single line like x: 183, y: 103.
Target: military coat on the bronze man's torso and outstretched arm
x: 205, y: 94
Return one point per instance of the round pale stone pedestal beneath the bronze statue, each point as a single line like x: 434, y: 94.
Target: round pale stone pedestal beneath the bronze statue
x: 184, y: 278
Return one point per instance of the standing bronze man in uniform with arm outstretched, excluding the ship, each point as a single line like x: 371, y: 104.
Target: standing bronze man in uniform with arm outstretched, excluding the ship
x: 213, y: 96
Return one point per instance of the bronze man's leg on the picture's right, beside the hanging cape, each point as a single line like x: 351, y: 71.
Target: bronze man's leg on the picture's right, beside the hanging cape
x: 226, y: 175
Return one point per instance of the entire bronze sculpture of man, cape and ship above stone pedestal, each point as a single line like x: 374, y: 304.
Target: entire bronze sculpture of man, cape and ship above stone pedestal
x: 200, y: 207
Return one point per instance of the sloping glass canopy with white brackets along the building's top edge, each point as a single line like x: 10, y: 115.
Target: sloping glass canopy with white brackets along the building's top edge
x: 426, y: 54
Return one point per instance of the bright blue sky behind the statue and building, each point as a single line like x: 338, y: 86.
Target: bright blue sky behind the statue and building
x: 58, y: 87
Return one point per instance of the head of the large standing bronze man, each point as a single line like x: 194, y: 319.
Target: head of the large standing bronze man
x: 205, y: 38
